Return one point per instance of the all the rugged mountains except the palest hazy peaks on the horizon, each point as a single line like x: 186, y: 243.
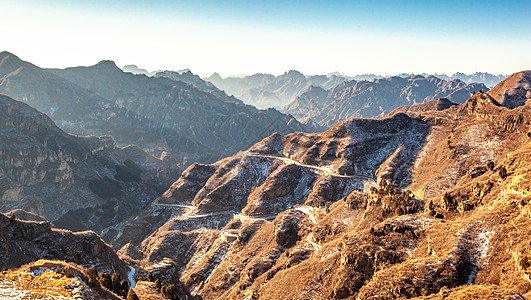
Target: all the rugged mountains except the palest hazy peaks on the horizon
x: 427, y: 201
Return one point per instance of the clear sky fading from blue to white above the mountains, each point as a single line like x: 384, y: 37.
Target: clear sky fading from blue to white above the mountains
x: 234, y: 37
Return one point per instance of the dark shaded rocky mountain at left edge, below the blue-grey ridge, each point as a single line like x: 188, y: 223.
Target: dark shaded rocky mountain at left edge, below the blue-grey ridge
x: 76, y: 182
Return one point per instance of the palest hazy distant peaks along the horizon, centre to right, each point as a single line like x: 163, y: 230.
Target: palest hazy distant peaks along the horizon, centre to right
x: 265, y: 90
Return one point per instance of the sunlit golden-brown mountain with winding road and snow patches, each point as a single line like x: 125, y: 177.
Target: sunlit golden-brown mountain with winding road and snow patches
x: 431, y: 202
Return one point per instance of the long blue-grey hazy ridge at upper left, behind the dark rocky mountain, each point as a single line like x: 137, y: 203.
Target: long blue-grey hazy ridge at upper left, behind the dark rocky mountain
x: 167, y: 118
